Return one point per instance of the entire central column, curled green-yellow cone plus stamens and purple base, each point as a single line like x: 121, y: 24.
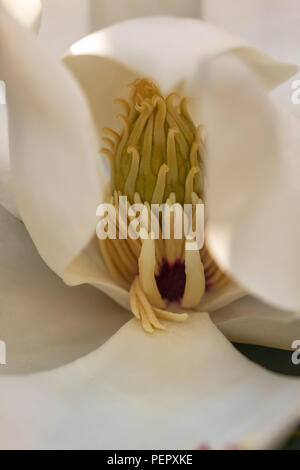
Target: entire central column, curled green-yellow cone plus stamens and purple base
x: 157, y: 158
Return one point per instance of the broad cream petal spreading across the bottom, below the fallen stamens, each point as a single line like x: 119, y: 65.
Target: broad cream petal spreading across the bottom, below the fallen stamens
x: 172, y: 390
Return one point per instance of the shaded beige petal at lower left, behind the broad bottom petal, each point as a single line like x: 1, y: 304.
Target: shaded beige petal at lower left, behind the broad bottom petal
x: 44, y: 323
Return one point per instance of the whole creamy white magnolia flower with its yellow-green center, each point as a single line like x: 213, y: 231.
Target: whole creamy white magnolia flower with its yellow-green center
x: 185, y: 387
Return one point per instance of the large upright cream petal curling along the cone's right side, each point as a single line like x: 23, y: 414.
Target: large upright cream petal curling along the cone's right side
x: 253, y: 164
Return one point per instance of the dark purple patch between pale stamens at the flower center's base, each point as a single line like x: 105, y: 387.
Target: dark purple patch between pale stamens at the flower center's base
x: 171, y: 280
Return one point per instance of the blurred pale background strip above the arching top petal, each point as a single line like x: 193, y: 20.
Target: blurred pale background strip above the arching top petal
x: 272, y: 25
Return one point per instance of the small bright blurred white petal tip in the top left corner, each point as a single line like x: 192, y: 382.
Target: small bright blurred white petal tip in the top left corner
x: 28, y: 12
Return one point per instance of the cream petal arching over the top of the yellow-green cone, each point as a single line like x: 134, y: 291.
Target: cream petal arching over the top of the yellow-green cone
x: 165, y: 49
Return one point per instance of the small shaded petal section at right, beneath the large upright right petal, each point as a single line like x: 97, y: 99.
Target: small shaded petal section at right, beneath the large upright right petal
x: 252, y: 322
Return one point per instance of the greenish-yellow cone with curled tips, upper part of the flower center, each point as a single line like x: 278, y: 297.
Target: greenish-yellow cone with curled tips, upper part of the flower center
x: 159, y: 150
